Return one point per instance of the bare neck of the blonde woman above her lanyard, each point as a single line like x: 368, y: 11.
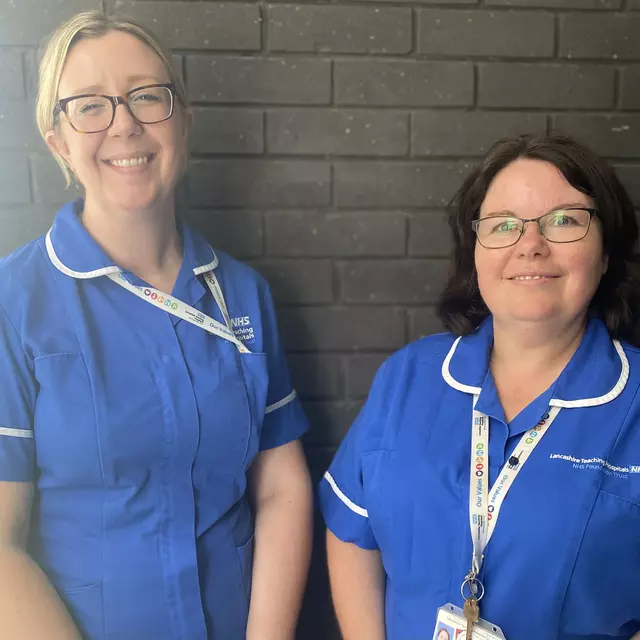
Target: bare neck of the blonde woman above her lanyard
x: 146, y: 243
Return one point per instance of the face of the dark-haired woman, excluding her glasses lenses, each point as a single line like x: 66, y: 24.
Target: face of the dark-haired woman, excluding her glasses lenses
x: 536, y: 280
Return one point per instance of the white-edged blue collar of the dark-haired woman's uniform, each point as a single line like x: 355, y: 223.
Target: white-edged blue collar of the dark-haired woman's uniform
x: 466, y: 367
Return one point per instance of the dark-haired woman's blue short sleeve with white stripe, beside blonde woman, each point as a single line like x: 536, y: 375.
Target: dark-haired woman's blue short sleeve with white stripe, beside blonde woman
x: 342, y: 492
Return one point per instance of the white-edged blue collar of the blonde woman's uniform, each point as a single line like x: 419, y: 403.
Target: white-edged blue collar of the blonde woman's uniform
x: 75, y: 253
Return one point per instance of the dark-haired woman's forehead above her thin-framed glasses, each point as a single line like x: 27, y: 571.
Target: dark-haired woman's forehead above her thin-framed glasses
x: 529, y: 188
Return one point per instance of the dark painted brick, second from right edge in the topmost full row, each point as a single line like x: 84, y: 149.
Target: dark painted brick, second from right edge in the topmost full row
x: 485, y: 33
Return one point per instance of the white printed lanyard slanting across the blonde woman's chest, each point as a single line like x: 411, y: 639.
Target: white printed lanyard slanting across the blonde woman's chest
x: 184, y: 311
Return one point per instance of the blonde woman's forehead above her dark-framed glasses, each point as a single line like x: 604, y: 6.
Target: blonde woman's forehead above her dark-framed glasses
x: 113, y: 63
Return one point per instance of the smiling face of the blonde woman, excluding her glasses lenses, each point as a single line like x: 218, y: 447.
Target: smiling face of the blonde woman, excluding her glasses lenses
x: 130, y: 166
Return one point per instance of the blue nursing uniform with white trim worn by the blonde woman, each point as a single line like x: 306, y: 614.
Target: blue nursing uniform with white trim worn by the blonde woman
x: 138, y: 429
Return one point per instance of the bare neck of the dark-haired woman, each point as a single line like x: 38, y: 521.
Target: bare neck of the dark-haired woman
x: 544, y: 349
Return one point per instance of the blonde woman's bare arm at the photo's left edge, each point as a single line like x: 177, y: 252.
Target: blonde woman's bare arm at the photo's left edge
x: 30, y: 608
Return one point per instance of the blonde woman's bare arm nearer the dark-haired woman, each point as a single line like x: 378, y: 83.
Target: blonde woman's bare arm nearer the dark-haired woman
x: 281, y: 492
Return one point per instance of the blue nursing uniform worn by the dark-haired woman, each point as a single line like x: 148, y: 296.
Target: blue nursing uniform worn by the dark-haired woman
x: 564, y: 559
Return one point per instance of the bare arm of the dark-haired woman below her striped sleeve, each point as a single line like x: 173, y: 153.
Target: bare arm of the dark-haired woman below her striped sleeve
x: 357, y: 588
